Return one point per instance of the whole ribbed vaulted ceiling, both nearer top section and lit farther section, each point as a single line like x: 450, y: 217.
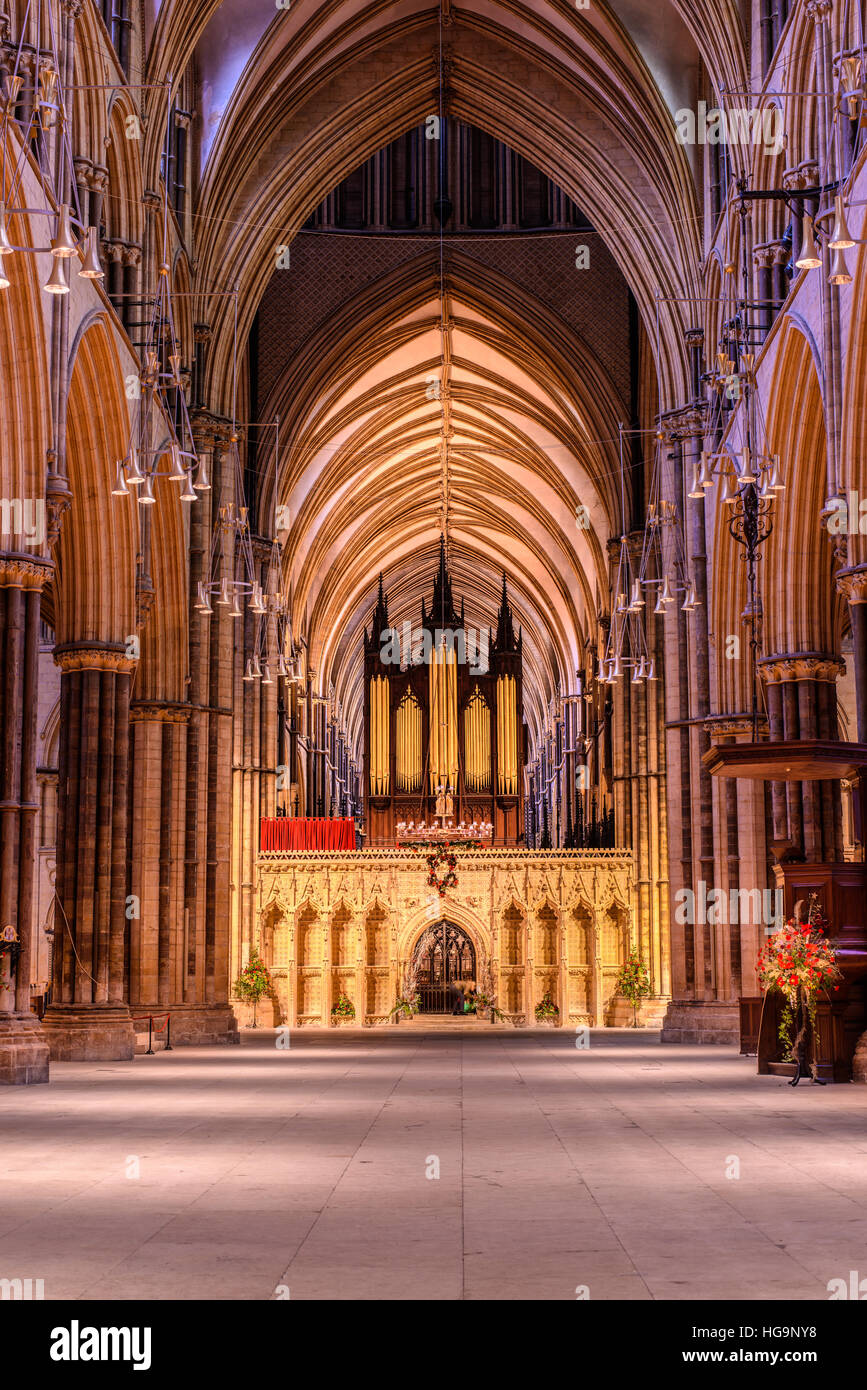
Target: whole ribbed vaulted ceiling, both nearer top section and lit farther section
x: 291, y: 104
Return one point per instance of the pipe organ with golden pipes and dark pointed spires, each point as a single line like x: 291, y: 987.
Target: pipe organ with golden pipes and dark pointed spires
x: 444, y: 715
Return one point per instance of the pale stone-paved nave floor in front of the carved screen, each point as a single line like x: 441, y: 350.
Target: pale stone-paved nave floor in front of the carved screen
x: 238, y: 1172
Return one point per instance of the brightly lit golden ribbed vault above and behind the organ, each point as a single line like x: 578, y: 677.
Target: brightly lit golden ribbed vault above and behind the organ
x: 529, y: 416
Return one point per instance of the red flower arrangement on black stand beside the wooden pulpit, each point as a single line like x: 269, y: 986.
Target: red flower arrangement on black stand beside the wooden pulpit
x: 800, y: 961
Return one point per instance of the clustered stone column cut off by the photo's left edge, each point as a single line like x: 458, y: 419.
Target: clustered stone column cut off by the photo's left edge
x: 24, y: 1054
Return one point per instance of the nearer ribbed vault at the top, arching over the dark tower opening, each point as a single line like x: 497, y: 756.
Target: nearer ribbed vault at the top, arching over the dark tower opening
x: 330, y: 85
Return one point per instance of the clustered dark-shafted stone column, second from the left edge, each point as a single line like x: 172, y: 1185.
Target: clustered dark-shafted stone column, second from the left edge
x: 88, y: 1018
